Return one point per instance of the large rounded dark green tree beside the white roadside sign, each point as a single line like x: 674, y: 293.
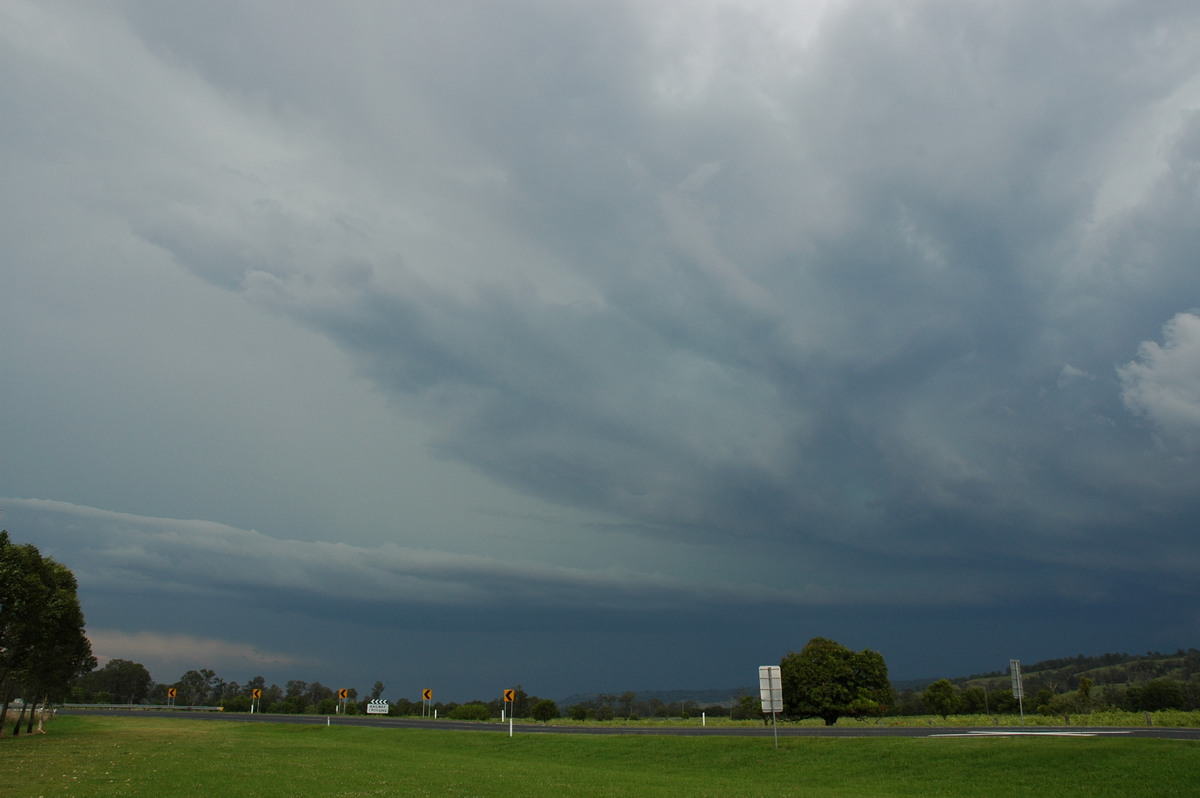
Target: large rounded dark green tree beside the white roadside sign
x: 827, y: 681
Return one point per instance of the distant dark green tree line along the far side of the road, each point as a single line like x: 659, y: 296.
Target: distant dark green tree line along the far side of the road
x: 825, y: 680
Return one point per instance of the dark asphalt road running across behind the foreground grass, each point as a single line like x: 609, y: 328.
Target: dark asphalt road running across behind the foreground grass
x: 849, y: 730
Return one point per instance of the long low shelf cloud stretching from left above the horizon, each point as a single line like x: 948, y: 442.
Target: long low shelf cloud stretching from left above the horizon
x: 116, y: 553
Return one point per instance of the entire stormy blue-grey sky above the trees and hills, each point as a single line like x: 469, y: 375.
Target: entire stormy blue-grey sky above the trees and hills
x: 603, y: 346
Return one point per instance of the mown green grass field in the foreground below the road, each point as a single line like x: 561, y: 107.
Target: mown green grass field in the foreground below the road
x: 119, y: 757
